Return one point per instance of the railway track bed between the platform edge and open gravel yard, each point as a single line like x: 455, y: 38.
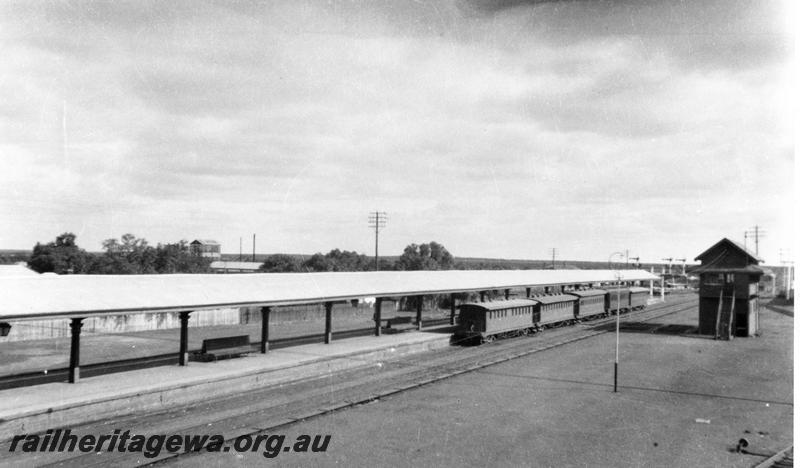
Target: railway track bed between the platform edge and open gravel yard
x: 270, y: 409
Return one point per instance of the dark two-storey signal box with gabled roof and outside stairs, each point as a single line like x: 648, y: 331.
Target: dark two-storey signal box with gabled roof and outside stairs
x: 729, y: 277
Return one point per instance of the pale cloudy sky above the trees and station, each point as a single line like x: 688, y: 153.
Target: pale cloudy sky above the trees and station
x: 496, y: 128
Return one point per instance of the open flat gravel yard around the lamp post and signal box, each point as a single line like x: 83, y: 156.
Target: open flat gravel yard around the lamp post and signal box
x: 684, y: 400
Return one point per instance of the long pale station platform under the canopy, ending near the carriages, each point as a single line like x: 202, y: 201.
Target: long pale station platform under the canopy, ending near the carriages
x: 39, y: 407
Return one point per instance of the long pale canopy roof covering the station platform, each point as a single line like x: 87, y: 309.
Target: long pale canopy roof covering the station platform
x: 92, y: 295
